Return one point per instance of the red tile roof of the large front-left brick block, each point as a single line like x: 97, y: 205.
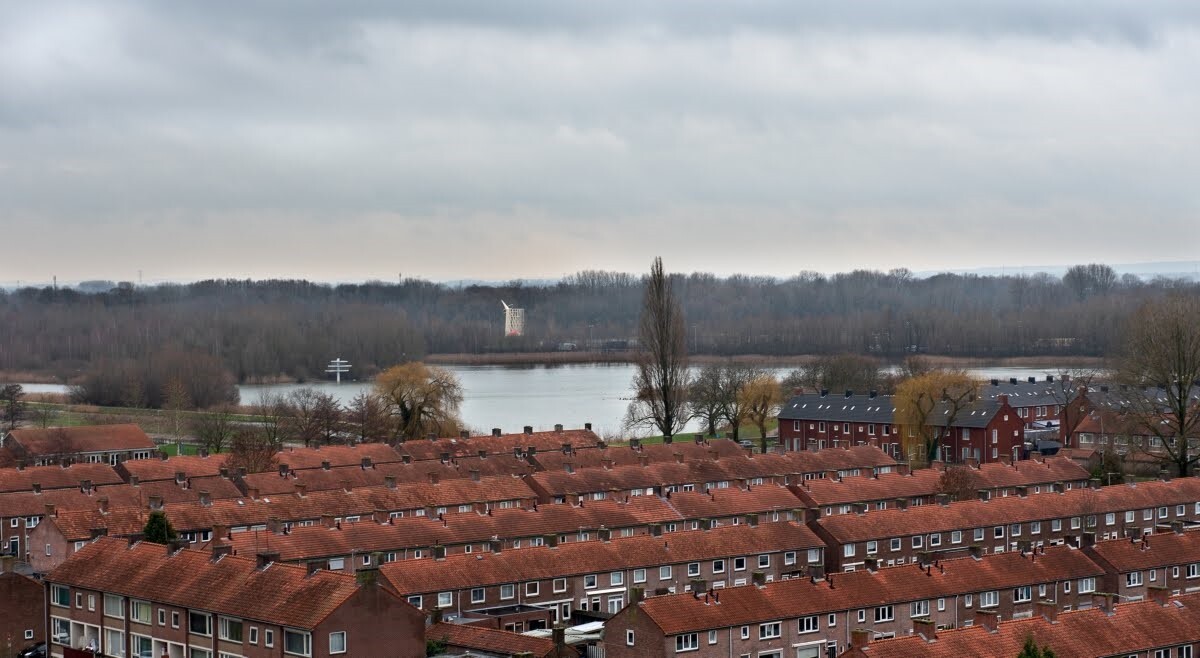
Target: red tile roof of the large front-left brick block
x: 280, y: 594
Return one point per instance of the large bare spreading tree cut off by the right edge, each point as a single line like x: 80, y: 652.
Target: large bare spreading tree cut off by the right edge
x: 1162, y: 367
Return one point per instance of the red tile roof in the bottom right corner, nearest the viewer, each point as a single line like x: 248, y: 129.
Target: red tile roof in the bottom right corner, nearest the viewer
x: 1133, y: 629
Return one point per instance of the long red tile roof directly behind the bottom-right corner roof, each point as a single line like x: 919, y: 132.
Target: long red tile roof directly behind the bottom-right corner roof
x: 863, y: 589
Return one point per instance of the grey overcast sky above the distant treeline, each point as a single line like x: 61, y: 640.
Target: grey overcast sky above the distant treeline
x: 455, y: 140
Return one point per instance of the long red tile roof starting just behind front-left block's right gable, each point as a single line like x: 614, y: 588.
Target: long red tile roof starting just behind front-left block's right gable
x: 459, y: 572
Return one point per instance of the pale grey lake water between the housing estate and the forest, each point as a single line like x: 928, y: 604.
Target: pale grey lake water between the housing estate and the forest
x: 511, y: 398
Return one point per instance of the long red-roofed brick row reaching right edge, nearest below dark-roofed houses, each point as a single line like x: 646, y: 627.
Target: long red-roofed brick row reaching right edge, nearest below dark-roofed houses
x: 901, y: 536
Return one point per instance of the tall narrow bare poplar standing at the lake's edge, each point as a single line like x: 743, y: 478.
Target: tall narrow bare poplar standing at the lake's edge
x: 663, y: 379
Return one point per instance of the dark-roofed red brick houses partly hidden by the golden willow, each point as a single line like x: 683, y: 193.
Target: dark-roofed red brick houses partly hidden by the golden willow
x: 985, y: 432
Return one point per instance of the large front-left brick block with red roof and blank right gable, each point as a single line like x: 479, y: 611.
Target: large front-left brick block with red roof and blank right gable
x: 147, y: 600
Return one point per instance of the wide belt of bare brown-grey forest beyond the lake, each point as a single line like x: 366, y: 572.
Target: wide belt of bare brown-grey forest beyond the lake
x: 291, y: 330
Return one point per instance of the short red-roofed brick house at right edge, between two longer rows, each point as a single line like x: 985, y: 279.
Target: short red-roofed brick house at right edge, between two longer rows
x: 1169, y: 560
